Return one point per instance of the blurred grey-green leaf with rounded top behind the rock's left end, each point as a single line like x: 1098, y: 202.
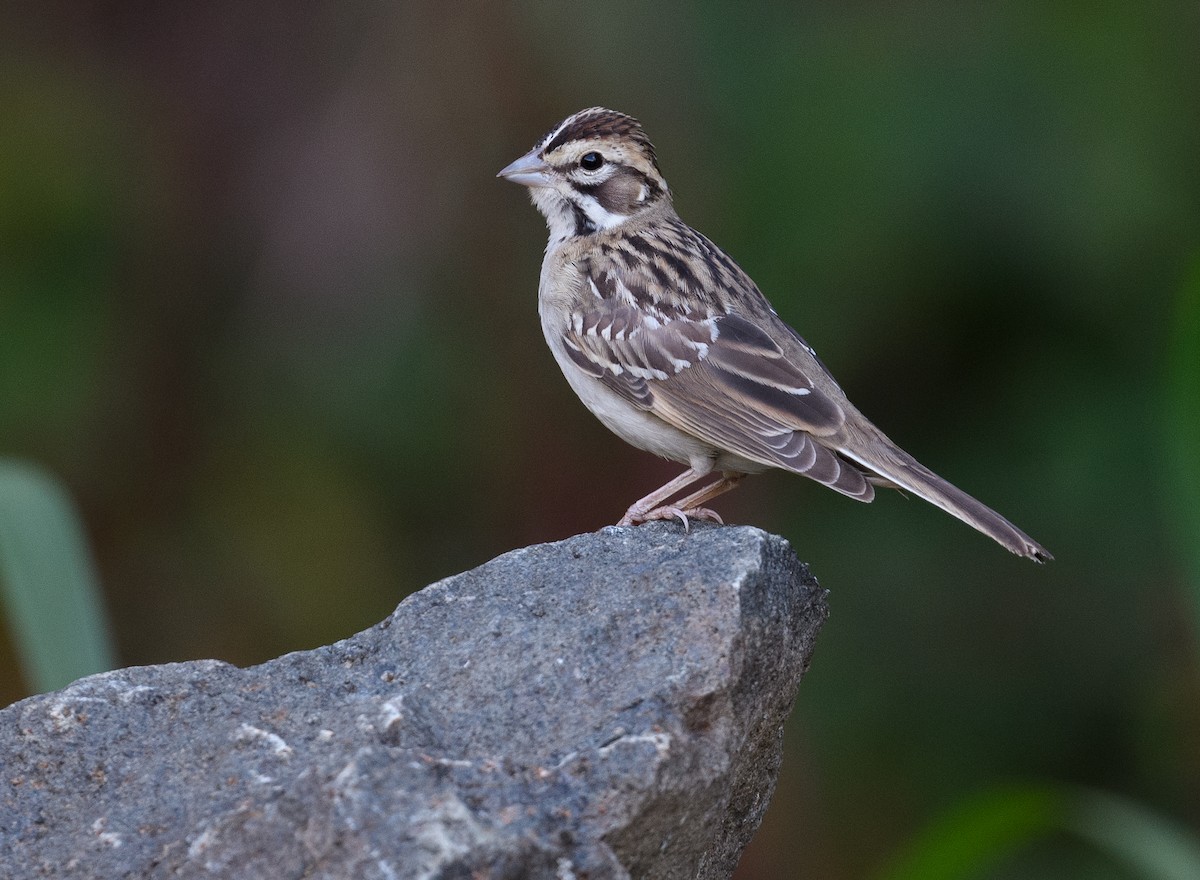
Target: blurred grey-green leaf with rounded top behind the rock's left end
x: 49, y: 582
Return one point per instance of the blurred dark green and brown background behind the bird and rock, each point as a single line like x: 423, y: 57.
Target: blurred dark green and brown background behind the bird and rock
x: 271, y: 319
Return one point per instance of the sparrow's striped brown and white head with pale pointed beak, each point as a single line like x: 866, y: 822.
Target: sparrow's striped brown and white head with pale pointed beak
x: 593, y: 172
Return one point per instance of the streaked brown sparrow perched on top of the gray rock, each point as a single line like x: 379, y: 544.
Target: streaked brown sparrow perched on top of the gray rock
x: 676, y: 350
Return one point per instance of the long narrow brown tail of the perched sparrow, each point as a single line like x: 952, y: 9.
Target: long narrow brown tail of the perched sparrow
x: 884, y: 458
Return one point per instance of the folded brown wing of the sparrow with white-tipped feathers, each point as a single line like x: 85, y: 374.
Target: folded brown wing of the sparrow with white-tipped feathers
x: 722, y: 379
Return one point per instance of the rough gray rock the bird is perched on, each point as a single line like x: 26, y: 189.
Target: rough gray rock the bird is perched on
x: 608, y: 707
